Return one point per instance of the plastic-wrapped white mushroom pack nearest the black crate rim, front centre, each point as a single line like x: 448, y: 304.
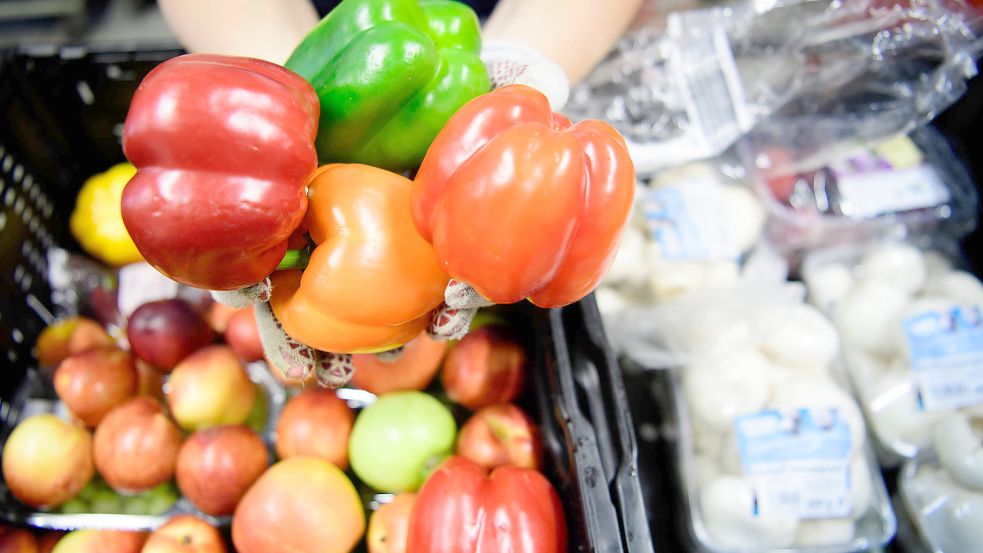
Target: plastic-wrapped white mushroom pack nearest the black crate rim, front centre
x: 771, y: 452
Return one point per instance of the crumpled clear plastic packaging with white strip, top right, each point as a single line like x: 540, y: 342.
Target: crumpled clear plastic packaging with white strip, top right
x: 809, y: 75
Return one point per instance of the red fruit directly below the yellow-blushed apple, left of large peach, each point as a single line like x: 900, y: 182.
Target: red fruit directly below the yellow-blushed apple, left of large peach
x: 217, y: 465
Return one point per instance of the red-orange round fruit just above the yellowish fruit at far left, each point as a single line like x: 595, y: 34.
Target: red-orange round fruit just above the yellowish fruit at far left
x: 93, y: 382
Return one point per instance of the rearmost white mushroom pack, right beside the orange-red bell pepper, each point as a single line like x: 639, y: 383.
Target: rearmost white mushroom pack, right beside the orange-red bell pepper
x: 694, y: 228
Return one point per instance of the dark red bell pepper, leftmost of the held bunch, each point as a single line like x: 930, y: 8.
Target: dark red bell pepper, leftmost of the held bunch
x: 223, y: 148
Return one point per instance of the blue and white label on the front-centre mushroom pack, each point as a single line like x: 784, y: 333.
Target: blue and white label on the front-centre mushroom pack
x: 798, y: 461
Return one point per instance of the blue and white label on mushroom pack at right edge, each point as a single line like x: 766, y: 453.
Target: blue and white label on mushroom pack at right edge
x: 946, y: 357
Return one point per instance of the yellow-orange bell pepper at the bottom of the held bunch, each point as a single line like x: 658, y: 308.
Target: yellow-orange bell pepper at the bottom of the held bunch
x: 371, y: 281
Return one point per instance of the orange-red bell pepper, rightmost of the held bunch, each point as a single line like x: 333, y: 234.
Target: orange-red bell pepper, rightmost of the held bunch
x: 519, y: 203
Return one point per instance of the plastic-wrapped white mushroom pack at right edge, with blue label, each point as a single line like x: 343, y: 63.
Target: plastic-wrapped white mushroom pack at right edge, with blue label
x: 909, y: 320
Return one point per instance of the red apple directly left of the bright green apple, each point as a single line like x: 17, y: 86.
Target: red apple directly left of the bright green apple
x: 315, y: 423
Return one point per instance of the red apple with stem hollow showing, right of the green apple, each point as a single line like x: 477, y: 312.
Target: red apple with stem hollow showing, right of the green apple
x: 500, y: 435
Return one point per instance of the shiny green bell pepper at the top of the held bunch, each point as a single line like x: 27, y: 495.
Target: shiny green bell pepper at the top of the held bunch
x: 389, y: 74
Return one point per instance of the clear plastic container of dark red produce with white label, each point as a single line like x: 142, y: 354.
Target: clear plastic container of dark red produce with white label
x: 915, y: 182
